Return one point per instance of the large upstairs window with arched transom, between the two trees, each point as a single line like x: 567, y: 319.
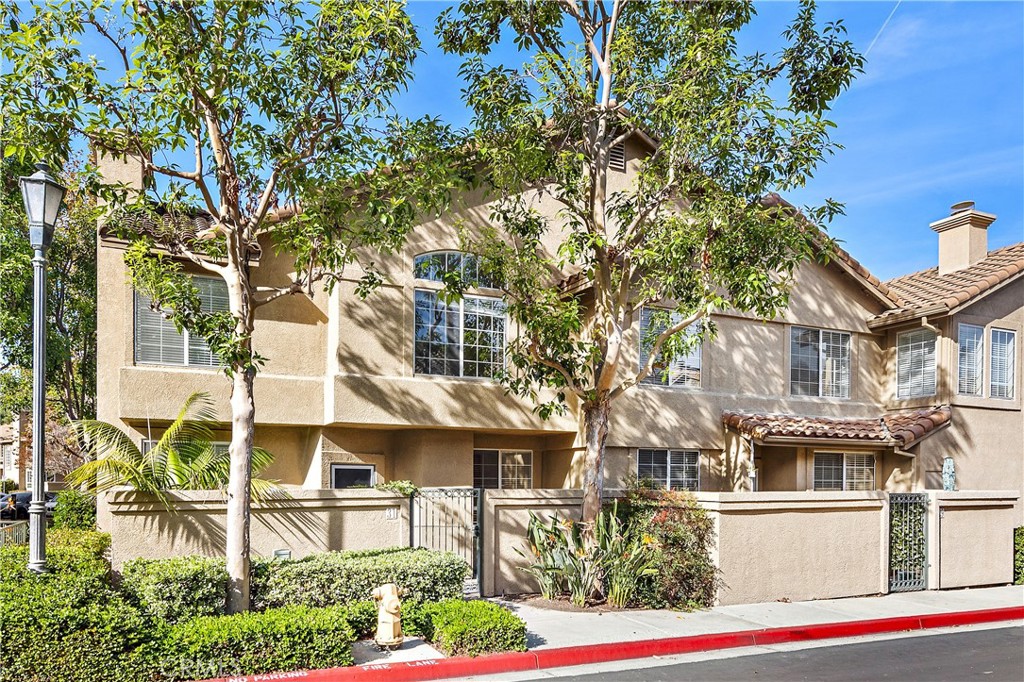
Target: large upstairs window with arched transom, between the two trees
x: 464, y: 338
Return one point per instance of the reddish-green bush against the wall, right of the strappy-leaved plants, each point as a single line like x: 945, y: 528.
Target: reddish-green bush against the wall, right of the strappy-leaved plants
x: 682, y: 536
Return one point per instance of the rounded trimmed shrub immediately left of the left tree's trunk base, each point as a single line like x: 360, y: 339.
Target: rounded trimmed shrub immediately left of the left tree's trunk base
x: 178, y: 589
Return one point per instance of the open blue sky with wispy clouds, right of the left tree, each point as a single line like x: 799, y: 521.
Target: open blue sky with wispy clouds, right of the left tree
x: 937, y: 118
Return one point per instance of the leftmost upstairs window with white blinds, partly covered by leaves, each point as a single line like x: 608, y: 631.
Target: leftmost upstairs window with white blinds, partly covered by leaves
x: 158, y: 343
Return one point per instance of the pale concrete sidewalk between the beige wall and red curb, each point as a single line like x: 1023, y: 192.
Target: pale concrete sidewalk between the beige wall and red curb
x: 552, y: 629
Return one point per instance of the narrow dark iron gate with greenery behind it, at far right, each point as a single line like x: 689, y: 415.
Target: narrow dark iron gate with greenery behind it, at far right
x: 908, y: 544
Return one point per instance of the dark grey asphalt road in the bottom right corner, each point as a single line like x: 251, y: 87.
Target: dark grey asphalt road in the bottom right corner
x: 984, y: 655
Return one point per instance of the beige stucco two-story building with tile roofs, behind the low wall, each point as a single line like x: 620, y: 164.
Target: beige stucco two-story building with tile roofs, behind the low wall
x: 861, y: 386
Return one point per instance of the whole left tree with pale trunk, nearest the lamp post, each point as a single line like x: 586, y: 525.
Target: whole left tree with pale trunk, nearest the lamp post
x: 262, y: 126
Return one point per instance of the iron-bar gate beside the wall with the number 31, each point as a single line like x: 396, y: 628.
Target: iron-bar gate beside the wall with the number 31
x: 449, y: 520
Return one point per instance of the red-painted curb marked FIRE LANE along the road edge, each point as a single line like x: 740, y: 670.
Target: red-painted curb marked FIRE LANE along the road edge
x: 439, y: 669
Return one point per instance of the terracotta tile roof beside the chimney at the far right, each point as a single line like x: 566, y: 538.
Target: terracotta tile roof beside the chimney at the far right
x: 928, y: 289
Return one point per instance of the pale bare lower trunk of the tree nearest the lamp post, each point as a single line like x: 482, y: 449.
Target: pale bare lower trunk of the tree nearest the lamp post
x: 239, y: 490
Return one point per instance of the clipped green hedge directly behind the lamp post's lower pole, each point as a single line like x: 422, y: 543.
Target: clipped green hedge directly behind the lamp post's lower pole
x: 82, y: 553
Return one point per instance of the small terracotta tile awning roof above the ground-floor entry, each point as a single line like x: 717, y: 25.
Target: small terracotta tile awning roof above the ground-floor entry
x: 901, y: 429
